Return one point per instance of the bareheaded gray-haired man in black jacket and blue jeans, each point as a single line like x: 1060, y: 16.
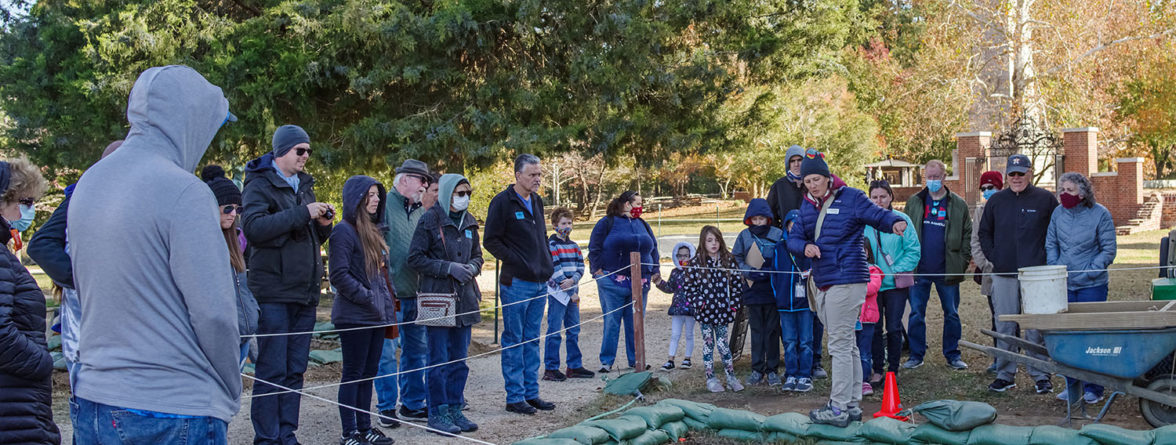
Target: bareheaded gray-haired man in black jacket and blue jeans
x: 517, y: 235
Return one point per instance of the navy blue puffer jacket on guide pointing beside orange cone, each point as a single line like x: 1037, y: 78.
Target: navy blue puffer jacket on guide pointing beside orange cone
x: 843, y: 257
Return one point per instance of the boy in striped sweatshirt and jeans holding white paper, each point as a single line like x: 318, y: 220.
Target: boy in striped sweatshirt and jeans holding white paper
x: 564, y: 301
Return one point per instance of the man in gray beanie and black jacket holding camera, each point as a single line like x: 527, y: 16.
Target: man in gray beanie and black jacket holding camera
x: 285, y: 227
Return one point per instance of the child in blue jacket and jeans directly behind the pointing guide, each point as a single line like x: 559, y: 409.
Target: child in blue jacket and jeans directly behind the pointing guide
x: 796, y: 317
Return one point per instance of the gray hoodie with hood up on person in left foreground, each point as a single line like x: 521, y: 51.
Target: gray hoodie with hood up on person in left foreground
x: 159, y: 310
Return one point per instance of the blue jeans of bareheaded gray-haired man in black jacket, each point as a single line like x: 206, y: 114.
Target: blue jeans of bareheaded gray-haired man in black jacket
x: 520, y: 326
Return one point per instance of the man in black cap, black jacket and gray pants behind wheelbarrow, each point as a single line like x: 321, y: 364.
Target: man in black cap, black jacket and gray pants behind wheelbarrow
x: 1024, y: 214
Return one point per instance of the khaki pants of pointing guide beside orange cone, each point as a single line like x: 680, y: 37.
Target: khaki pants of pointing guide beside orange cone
x: 839, y: 309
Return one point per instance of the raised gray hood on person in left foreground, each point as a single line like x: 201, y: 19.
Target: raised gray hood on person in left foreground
x: 176, y: 111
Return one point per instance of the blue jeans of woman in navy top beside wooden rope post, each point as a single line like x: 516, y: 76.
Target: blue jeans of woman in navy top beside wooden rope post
x: 612, y: 296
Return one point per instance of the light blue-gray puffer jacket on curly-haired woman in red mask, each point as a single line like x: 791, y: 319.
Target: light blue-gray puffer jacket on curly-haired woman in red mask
x: 1071, y: 242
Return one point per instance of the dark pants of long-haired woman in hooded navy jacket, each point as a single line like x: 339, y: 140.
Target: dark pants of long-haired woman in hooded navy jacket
x: 362, y: 358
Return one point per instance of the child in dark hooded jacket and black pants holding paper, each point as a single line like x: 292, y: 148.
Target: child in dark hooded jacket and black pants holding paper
x: 753, y: 250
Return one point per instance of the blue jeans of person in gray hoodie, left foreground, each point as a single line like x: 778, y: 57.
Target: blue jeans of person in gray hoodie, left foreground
x: 97, y: 424
